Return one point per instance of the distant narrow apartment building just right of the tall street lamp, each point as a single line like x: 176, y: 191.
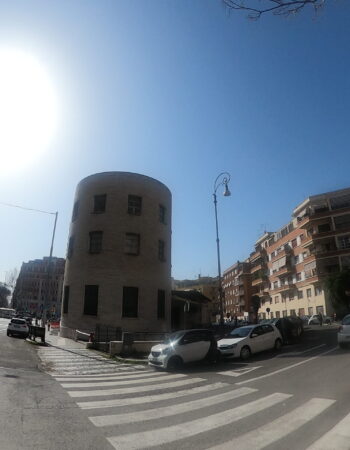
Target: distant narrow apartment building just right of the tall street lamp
x: 237, y: 288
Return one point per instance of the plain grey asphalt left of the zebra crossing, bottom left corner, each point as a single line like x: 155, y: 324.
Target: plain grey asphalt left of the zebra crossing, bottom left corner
x: 35, y: 411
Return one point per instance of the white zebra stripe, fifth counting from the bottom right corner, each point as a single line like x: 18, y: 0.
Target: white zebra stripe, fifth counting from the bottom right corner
x: 151, y: 398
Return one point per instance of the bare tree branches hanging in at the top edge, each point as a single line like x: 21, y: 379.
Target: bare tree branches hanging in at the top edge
x: 256, y: 8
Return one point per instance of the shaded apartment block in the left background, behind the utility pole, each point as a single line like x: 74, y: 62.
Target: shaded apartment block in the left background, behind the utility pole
x: 37, y: 283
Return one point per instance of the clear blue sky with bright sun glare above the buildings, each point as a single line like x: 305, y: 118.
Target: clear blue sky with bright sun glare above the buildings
x: 180, y: 90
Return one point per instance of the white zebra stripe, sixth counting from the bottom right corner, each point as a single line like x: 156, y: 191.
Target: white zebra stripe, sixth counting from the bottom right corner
x: 120, y: 391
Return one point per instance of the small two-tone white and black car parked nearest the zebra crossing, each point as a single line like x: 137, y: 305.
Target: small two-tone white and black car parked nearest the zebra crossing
x: 183, y: 347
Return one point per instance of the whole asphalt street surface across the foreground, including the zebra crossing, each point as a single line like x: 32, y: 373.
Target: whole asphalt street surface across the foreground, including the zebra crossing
x: 295, y: 399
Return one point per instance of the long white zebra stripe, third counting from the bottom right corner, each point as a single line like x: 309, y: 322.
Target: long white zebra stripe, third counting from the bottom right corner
x: 161, y: 436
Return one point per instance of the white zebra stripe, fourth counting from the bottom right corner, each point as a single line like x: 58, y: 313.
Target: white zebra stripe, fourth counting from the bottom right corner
x: 172, y: 410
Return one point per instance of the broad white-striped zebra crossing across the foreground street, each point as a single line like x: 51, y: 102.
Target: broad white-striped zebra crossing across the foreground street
x: 152, y: 409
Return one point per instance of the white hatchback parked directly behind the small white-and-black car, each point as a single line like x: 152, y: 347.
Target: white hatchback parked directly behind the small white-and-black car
x: 244, y: 341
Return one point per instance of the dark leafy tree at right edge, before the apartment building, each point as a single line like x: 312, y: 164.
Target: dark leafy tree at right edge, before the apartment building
x: 338, y: 287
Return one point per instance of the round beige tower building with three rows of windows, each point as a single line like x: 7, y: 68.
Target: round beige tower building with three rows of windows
x: 118, y: 264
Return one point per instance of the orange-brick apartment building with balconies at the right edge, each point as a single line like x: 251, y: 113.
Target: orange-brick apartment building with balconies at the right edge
x: 315, y: 243
